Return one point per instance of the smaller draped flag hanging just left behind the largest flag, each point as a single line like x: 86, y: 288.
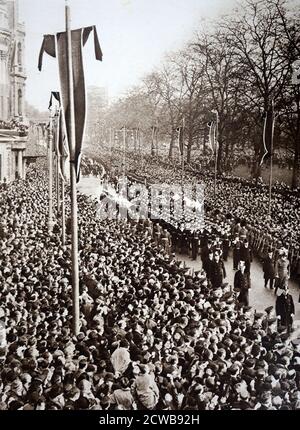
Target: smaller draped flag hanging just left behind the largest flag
x: 61, y: 146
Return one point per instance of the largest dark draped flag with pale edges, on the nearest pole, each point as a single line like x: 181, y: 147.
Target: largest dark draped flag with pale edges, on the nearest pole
x: 56, y: 46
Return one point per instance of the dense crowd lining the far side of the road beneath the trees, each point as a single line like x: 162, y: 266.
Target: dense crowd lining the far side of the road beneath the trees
x: 236, y: 198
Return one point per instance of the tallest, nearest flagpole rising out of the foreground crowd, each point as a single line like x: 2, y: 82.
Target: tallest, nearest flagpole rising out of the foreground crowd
x: 73, y: 177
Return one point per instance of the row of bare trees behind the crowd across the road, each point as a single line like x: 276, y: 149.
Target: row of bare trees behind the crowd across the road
x: 236, y: 67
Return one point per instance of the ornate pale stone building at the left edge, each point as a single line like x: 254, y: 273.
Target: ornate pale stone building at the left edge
x: 13, y: 136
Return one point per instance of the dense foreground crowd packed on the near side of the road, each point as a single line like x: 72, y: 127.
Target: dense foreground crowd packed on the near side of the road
x: 151, y: 337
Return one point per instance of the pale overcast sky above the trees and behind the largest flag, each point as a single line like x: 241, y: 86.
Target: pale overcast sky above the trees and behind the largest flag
x: 134, y: 36
